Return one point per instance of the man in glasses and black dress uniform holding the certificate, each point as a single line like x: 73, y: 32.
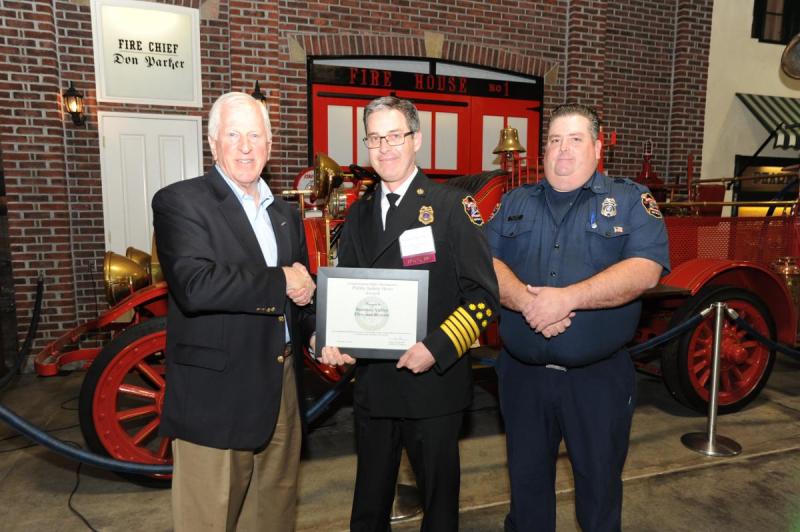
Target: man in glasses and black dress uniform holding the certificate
x: 418, y: 401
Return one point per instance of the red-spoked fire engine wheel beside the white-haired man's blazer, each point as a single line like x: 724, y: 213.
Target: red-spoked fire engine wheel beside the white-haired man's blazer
x: 122, y: 396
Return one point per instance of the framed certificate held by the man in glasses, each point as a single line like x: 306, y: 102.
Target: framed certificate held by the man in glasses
x: 371, y: 312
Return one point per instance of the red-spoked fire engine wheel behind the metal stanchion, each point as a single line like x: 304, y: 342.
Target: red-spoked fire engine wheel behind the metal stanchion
x: 745, y: 363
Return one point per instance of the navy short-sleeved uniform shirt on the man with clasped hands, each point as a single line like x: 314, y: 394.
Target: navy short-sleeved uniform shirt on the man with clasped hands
x: 610, y: 220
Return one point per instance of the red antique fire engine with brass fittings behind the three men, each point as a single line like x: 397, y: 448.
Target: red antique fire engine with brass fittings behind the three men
x: 714, y: 258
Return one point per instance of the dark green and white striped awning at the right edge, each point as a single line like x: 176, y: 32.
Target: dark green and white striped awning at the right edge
x: 777, y: 114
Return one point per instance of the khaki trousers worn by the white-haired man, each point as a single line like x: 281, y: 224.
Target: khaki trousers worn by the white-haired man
x: 229, y: 490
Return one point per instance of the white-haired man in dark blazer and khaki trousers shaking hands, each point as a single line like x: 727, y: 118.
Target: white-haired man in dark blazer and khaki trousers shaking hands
x: 234, y: 257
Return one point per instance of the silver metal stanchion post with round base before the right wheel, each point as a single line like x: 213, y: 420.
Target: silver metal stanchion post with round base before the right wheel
x: 709, y: 442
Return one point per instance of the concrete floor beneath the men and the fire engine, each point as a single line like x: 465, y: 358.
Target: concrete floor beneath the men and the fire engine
x: 667, y: 487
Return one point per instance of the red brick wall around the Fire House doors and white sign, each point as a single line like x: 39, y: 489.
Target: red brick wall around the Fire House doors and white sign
x: 617, y: 56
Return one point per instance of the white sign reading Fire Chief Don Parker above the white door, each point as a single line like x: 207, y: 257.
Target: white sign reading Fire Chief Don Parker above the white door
x: 146, y: 53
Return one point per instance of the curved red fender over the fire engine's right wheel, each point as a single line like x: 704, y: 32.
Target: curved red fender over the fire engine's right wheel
x: 696, y: 273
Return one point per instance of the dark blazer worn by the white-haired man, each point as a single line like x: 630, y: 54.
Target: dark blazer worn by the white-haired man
x: 227, y: 312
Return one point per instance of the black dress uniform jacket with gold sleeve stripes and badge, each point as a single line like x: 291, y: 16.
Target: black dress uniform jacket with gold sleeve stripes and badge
x: 462, y: 297
